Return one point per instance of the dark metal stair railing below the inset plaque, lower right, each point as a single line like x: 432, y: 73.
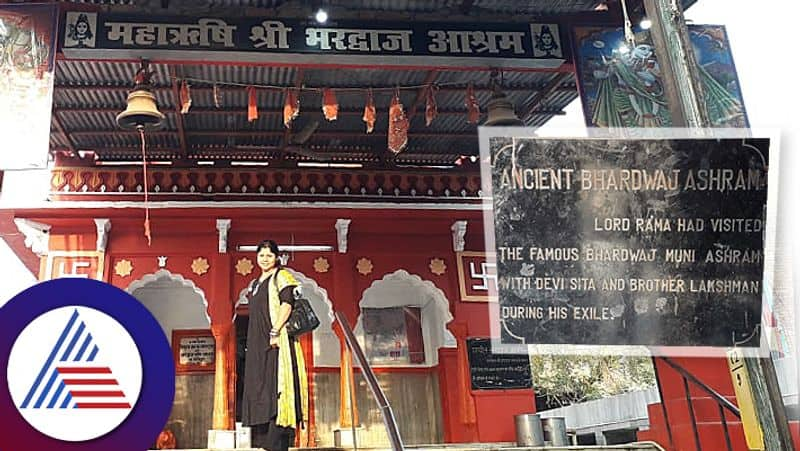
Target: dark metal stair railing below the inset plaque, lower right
x: 722, y: 404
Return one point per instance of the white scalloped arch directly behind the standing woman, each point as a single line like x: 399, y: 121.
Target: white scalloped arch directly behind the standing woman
x: 325, y: 341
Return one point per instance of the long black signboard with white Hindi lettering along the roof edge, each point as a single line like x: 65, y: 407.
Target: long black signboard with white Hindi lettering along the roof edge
x: 269, y: 39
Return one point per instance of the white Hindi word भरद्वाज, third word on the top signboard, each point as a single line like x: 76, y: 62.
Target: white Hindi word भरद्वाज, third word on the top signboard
x: 360, y: 40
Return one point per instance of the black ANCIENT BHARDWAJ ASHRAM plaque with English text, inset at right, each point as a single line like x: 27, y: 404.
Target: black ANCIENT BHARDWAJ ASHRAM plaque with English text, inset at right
x: 655, y: 242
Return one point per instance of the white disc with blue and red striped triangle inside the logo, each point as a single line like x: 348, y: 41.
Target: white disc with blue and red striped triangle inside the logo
x: 74, y: 373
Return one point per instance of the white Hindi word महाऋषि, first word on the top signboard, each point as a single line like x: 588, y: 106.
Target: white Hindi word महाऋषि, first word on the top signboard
x: 204, y: 33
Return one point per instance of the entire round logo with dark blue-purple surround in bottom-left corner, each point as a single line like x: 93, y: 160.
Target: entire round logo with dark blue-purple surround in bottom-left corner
x: 87, y: 368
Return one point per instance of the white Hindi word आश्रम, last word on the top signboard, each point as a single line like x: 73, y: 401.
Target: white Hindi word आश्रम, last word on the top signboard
x: 475, y: 41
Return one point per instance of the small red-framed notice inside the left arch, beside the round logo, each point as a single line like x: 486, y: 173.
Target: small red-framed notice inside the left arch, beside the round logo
x: 194, y: 351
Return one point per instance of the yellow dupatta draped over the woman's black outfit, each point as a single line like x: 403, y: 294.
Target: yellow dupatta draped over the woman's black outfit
x: 287, y: 416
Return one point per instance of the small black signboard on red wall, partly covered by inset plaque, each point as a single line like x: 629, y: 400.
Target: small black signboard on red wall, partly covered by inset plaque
x: 490, y: 371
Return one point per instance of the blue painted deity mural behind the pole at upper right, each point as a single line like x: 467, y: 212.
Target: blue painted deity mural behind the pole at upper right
x: 622, y: 86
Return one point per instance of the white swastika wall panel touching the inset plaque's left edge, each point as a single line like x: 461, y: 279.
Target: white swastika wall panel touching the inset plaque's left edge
x: 477, y: 276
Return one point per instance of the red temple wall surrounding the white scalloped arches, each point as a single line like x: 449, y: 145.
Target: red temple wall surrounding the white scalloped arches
x: 392, y: 240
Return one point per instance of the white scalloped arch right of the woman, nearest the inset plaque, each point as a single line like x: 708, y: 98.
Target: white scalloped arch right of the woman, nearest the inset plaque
x: 392, y: 291
